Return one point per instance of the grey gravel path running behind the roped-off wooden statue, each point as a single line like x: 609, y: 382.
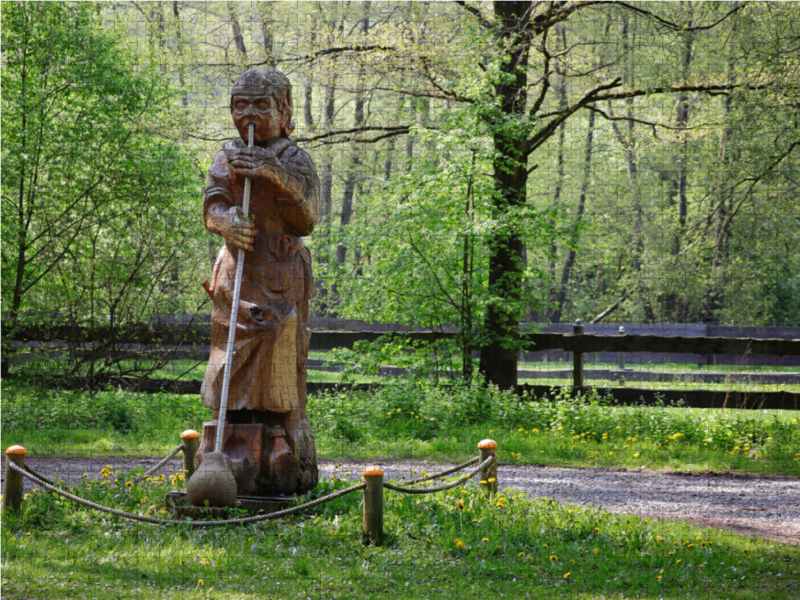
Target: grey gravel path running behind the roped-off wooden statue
x: 761, y: 505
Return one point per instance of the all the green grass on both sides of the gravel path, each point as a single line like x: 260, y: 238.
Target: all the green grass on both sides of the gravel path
x: 508, y: 546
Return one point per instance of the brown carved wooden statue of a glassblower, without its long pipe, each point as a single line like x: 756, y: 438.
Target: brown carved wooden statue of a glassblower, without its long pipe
x: 267, y: 436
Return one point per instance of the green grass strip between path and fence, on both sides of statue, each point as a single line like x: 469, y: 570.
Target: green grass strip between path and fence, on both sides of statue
x: 415, y: 419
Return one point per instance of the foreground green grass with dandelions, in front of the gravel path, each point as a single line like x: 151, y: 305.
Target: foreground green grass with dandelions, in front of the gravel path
x: 504, y: 547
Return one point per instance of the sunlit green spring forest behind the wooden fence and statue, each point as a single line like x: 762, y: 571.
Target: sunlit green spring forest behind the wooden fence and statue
x: 481, y: 165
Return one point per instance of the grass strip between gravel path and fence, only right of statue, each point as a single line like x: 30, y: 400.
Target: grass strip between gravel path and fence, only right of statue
x: 420, y: 418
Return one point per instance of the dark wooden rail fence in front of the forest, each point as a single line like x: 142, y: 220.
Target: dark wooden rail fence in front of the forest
x: 573, y: 342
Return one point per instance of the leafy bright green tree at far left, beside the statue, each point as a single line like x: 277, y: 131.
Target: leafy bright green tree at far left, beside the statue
x: 96, y: 208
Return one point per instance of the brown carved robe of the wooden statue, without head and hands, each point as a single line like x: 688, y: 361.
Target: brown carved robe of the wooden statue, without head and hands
x: 269, y: 360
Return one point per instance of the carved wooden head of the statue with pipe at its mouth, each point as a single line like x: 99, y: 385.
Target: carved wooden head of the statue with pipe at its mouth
x: 262, y: 96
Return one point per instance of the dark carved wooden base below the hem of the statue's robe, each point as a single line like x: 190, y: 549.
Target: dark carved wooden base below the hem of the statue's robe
x: 271, y: 454
